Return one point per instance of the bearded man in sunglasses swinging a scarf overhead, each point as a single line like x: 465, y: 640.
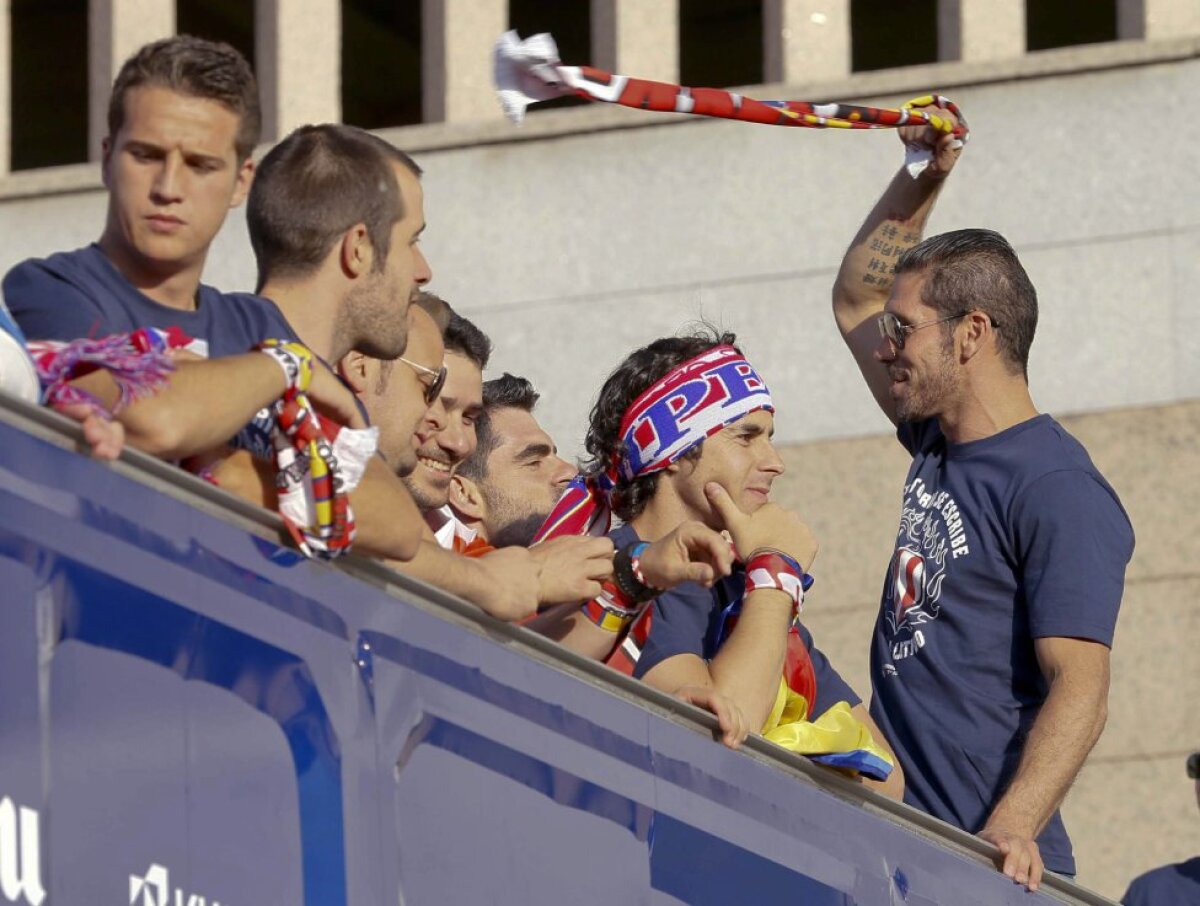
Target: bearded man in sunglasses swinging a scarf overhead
x: 991, y: 656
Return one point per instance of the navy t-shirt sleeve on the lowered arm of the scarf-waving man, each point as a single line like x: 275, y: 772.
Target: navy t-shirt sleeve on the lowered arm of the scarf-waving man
x: 1075, y: 542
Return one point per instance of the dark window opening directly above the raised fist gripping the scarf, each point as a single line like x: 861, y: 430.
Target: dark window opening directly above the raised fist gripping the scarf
x: 892, y: 33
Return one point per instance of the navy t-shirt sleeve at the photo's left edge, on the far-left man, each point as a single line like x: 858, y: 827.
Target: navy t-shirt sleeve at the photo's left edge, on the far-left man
x: 49, y: 308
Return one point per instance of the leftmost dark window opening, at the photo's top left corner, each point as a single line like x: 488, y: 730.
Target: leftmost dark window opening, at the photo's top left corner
x: 50, y: 83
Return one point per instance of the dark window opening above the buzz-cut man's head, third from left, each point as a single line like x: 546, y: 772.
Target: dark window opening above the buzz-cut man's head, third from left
x: 381, y: 63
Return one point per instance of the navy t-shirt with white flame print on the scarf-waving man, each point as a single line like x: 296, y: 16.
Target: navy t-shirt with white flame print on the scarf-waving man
x: 1003, y: 541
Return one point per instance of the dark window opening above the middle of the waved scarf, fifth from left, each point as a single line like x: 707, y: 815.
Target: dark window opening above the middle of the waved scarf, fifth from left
x: 721, y: 44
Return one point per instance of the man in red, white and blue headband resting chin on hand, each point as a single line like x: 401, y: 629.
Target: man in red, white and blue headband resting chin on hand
x: 681, y: 436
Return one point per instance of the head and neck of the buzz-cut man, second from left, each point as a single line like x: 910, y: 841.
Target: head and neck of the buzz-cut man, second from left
x: 335, y: 219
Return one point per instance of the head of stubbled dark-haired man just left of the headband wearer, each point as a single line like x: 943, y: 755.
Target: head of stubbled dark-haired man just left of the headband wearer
x: 508, y: 487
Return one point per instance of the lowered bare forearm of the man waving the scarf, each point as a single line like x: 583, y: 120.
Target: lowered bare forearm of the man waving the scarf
x: 1066, y: 730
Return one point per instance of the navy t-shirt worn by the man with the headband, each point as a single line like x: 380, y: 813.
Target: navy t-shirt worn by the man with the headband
x: 687, y: 621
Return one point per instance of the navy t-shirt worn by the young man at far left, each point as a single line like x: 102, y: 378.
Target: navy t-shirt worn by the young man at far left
x: 82, y: 295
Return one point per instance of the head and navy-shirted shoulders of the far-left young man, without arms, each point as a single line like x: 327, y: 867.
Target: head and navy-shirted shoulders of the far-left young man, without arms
x: 184, y: 119
